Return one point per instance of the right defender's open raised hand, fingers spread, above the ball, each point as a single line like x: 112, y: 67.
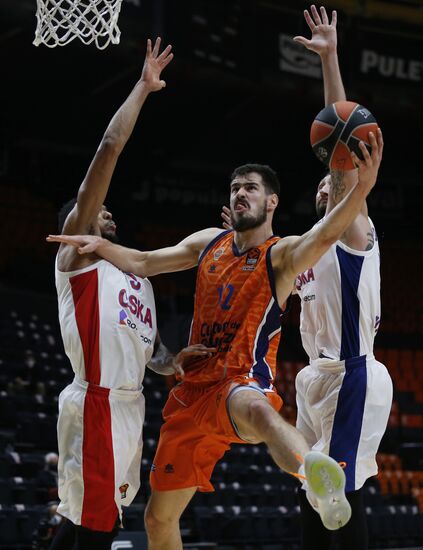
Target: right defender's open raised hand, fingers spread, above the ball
x: 323, y: 34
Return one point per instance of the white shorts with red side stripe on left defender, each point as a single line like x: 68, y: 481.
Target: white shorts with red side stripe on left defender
x: 100, y: 446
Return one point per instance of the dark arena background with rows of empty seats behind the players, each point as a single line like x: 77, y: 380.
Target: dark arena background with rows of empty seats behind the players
x: 239, y: 90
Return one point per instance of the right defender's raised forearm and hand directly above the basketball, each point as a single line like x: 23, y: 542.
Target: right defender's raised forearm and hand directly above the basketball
x: 324, y: 42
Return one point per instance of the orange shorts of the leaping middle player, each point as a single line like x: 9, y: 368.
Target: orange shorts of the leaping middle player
x: 196, y: 434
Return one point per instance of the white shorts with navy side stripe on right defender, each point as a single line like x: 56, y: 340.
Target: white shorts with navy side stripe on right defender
x: 343, y: 411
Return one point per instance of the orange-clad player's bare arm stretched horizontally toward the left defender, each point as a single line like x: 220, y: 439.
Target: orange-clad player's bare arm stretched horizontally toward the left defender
x: 182, y: 256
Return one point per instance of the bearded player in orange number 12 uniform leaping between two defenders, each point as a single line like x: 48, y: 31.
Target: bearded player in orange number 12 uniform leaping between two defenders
x: 244, y: 278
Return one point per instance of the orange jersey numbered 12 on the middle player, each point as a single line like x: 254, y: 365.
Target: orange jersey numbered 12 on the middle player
x: 236, y: 311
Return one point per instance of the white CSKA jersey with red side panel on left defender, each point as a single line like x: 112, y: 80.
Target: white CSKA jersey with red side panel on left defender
x: 108, y: 324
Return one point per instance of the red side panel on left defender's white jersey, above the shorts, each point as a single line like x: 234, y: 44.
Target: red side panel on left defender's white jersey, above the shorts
x: 87, y: 314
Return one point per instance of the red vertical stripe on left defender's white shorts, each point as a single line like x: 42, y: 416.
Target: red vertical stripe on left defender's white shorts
x: 99, y: 510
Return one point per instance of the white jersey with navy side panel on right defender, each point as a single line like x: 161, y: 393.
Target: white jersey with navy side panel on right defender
x: 340, y: 302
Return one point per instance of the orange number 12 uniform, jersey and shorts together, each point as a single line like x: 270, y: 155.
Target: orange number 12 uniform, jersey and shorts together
x: 237, y: 312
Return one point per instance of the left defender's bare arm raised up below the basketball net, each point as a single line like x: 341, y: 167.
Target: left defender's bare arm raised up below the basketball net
x: 93, y: 190
